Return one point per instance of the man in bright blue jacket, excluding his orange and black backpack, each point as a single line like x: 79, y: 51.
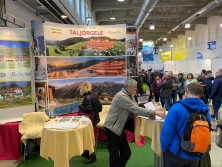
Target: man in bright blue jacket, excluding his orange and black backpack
x: 175, y: 123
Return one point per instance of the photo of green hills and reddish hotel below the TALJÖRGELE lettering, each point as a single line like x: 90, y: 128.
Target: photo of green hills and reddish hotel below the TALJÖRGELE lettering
x: 92, y: 46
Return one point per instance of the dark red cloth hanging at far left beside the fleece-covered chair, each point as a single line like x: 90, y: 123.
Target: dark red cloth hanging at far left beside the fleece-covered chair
x: 10, y: 141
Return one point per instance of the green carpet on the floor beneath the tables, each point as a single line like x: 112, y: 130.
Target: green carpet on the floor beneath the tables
x: 141, y: 157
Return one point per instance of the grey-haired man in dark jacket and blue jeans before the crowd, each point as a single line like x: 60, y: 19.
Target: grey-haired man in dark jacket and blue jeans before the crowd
x: 166, y: 90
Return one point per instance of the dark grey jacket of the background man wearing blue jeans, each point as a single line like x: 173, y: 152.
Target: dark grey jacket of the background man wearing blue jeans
x: 166, y: 88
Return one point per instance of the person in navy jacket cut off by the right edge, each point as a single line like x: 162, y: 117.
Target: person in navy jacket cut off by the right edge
x: 216, y: 92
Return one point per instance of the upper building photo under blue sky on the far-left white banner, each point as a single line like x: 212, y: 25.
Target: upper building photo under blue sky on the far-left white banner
x: 14, y: 54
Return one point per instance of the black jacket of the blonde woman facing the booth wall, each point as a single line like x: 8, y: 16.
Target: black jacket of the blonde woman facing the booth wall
x: 91, y: 104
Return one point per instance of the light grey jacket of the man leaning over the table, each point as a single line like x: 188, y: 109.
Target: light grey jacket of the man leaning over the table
x: 118, y: 114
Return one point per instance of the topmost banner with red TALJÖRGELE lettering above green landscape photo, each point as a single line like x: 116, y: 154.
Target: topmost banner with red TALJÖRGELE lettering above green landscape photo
x: 82, y: 40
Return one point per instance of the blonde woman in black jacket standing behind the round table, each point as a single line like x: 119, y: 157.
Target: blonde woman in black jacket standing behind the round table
x: 90, y: 105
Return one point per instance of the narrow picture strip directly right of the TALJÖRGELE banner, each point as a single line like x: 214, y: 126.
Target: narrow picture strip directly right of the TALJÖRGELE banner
x: 131, y: 40
